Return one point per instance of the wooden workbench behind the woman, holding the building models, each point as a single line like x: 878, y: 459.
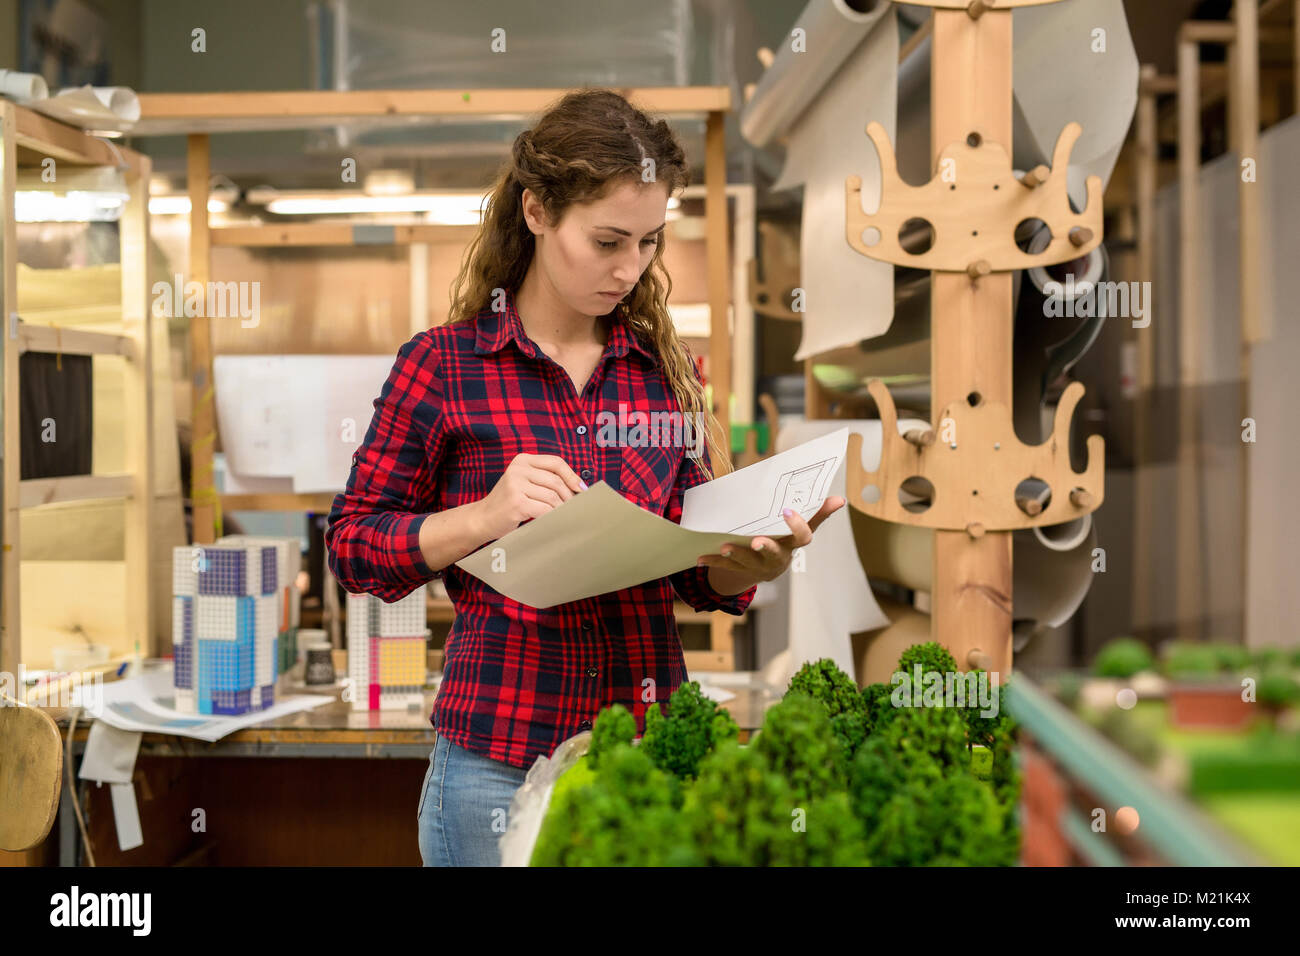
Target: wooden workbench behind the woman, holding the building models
x: 362, y: 788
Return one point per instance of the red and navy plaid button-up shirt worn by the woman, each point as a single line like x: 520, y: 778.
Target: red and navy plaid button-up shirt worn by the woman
x: 461, y: 403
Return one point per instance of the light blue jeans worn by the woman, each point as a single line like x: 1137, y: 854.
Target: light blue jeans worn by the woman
x: 465, y: 807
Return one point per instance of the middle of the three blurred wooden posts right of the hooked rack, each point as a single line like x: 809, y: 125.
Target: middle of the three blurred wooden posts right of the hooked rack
x: 1189, y: 542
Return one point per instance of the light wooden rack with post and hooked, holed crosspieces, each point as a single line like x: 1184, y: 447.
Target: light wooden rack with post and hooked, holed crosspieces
x: 974, y: 205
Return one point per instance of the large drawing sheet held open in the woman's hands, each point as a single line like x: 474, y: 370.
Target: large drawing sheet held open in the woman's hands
x: 578, y: 537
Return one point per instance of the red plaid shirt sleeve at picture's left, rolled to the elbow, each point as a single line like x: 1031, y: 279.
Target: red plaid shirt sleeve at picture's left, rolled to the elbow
x: 374, y: 531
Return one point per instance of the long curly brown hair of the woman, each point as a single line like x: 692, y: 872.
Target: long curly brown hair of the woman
x: 579, y: 152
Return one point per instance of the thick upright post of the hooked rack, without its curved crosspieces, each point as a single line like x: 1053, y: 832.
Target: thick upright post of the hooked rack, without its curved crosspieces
x: 970, y: 351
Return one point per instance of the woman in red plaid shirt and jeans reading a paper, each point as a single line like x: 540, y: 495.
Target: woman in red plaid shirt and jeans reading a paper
x: 558, y: 317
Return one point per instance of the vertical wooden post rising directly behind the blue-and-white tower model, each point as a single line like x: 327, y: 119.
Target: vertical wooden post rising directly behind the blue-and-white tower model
x: 203, y: 495
